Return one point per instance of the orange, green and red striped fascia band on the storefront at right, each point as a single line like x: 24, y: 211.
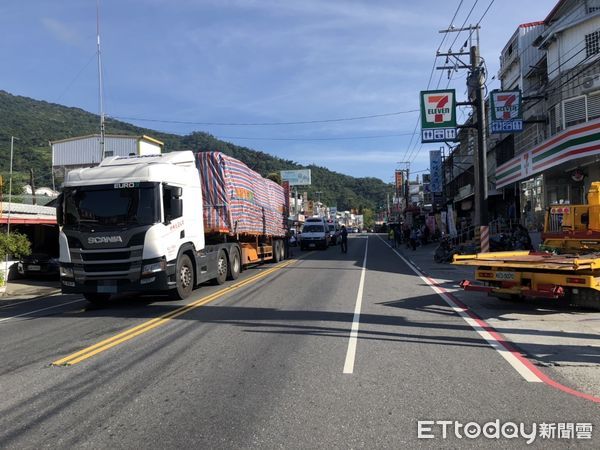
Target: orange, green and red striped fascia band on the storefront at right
x: 577, y: 142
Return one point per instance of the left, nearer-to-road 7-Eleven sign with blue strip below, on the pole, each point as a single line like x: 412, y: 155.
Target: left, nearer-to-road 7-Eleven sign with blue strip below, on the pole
x: 438, y: 116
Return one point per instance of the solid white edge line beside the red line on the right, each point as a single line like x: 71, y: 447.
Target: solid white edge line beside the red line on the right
x: 521, y: 368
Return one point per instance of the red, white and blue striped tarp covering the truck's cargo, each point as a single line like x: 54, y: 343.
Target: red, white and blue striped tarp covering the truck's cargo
x: 237, y: 199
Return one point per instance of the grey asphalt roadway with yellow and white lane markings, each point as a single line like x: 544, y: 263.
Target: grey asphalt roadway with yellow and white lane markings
x: 266, y: 364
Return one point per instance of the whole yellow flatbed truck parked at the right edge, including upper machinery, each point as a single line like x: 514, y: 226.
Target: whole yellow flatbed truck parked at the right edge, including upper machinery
x: 567, y: 265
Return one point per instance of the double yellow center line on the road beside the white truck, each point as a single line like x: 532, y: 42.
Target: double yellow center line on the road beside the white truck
x: 131, y: 333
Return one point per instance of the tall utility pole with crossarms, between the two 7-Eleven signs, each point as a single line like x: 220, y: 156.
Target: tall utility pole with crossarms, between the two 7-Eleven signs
x: 477, y: 100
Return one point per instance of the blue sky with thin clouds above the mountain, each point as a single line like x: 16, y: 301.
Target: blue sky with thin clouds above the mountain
x: 256, y: 61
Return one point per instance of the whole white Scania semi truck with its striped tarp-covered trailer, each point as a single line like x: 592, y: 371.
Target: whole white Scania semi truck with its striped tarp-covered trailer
x: 165, y: 224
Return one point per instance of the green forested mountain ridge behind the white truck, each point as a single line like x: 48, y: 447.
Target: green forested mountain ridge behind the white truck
x: 35, y: 123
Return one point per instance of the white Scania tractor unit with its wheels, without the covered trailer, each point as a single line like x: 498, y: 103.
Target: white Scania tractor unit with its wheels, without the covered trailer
x: 135, y: 224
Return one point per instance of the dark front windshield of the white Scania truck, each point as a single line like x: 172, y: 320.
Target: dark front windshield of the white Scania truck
x: 110, y: 206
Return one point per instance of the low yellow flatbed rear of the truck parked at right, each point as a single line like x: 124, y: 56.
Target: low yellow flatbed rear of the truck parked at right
x: 525, y: 274
